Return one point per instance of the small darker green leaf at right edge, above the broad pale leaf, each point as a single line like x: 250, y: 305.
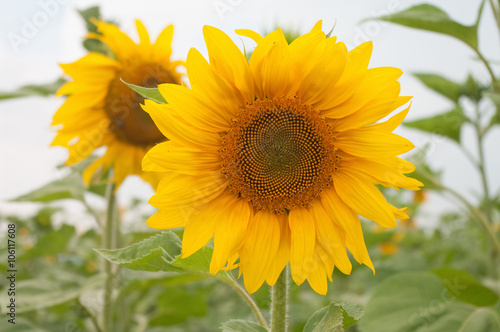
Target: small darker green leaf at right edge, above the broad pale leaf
x: 464, y: 287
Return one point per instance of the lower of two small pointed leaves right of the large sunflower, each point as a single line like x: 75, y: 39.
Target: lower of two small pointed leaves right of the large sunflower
x: 446, y: 124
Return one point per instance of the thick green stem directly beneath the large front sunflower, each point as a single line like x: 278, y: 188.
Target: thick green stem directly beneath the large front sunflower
x: 279, y: 304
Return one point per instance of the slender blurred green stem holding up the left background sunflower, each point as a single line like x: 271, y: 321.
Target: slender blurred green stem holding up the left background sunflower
x: 108, y: 243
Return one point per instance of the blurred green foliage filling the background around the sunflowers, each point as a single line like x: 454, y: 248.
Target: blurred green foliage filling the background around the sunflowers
x: 441, y: 279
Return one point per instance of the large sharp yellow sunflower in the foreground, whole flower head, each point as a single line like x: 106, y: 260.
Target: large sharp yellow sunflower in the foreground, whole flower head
x: 276, y: 157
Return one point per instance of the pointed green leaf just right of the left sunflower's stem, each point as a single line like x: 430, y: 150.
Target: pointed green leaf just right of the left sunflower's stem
x: 147, y: 255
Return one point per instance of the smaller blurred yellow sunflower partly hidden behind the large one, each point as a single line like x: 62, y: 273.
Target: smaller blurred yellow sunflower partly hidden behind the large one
x: 102, y: 111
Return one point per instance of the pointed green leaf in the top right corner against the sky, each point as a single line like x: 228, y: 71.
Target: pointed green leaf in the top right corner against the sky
x: 431, y: 18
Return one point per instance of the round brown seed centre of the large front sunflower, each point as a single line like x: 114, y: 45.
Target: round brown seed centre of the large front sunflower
x: 278, y: 154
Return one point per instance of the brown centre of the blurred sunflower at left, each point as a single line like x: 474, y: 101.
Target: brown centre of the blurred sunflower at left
x: 129, y: 122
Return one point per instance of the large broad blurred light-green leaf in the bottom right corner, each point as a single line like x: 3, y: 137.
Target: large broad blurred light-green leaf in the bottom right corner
x: 418, y: 302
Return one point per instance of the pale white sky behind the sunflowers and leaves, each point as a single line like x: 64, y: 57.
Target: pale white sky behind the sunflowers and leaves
x: 27, y: 162
